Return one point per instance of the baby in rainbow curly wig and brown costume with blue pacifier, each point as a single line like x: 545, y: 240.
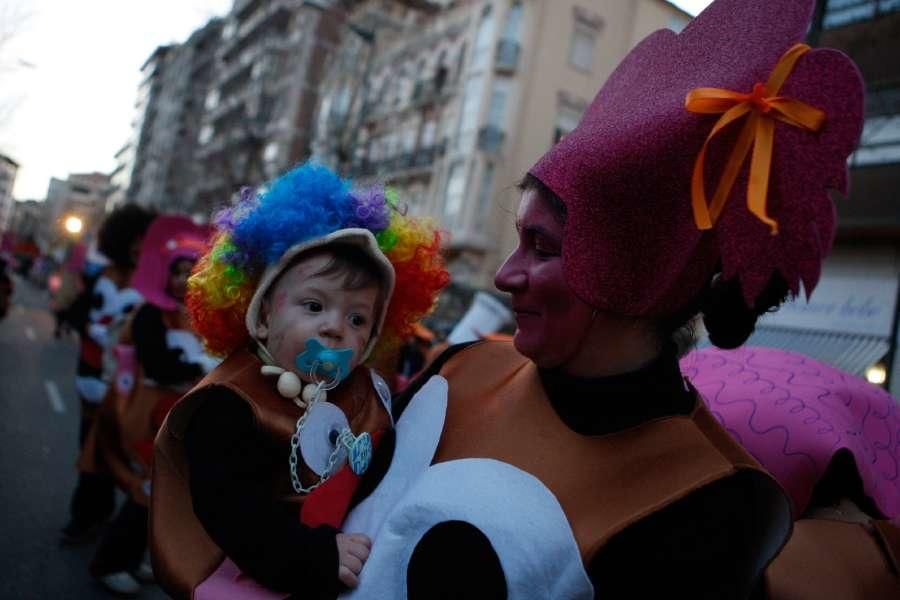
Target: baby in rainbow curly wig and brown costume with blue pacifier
x: 256, y: 467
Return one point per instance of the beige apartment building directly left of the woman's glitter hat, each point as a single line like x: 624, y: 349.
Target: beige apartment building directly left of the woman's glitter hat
x: 451, y: 104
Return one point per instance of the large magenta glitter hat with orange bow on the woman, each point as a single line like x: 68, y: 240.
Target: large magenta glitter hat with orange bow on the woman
x: 632, y: 241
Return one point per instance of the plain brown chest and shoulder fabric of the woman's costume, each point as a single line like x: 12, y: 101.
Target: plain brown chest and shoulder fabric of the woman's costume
x: 629, y: 475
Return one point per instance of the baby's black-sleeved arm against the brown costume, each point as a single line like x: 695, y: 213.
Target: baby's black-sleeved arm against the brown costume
x: 230, y: 468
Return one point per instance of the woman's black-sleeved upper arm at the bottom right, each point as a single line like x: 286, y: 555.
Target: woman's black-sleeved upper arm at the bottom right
x: 716, y: 543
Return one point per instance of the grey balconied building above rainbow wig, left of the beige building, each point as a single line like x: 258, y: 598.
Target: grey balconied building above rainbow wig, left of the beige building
x: 258, y: 116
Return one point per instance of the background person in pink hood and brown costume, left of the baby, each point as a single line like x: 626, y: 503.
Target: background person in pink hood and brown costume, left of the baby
x: 158, y: 359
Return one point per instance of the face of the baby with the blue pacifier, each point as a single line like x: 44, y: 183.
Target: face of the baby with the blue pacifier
x: 303, y: 305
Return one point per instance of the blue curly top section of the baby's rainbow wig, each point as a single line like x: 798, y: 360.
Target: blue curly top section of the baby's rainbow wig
x: 280, y: 221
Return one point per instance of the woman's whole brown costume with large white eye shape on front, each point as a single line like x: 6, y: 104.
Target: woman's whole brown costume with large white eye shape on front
x: 604, y: 484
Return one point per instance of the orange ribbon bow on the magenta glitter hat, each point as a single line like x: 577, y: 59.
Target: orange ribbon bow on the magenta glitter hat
x: 762, y: 108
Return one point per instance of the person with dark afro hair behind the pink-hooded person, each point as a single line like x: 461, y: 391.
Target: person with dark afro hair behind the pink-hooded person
x: 104, y: 305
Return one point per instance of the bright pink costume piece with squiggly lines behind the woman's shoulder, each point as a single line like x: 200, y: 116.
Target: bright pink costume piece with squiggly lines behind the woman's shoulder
x: 794, y: 413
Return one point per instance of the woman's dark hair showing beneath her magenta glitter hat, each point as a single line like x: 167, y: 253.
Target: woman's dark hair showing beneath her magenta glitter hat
x: 728, y: 319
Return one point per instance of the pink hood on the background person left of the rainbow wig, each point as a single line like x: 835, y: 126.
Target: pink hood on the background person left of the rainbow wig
x: 168, y: 239
